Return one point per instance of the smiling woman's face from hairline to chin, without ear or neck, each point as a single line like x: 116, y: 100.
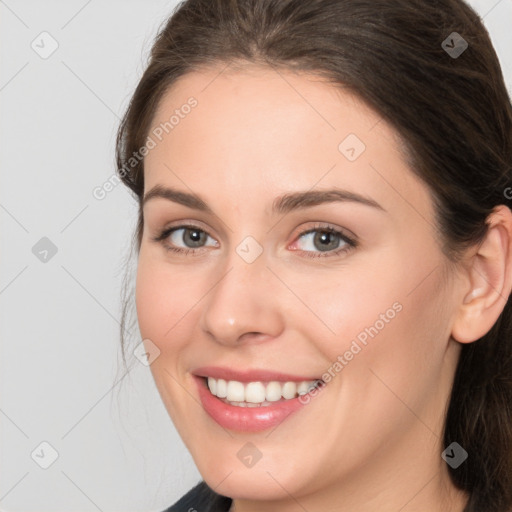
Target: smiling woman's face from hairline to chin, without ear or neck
x: 343, y: 281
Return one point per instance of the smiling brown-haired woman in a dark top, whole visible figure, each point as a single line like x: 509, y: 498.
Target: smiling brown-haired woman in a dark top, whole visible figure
x: 325, y: 252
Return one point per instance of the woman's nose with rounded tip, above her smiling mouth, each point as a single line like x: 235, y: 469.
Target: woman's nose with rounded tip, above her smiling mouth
x: 243, y: 305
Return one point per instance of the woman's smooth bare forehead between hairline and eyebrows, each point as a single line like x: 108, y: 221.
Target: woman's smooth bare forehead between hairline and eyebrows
x: 266, y: 129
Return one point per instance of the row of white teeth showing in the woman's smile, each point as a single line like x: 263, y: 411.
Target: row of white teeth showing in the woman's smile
x: 251, y: 393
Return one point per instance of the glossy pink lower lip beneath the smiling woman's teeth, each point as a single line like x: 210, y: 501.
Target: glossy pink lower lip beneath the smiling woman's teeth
x: 246, y: 419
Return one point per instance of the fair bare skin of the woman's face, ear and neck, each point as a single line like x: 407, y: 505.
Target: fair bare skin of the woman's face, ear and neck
x: 372, y: 439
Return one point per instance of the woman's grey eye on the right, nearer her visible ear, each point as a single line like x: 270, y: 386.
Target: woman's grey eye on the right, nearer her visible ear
x: 324, y: 239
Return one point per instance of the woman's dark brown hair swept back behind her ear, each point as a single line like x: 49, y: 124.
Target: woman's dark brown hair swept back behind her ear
x: 454, y: 117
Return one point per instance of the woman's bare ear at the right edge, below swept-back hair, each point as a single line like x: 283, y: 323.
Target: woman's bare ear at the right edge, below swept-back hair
x: 489, y: 279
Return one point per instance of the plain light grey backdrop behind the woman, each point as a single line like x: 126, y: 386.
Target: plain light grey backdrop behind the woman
x: 61, y: 377
